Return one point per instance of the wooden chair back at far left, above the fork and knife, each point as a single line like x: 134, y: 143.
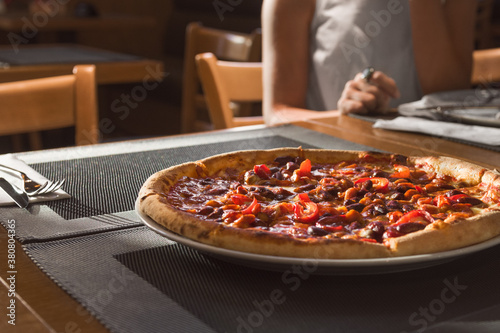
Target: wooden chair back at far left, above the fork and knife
x: 30, y: 106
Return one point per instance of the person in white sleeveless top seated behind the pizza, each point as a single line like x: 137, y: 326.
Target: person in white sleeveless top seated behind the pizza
x: 314, y: 52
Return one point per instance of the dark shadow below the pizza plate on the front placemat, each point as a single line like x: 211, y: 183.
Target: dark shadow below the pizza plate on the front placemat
x: 230, y: 297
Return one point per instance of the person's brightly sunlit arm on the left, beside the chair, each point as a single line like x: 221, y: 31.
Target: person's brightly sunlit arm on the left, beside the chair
x: 285, y: 27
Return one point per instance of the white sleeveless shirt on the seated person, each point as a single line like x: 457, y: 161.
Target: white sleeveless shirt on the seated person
x: 349, y: 35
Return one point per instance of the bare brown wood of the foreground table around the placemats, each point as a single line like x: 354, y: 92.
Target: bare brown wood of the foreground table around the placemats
x: 44, y: 307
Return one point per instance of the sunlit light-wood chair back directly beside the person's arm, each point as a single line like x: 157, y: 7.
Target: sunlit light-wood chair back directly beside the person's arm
x: 229, y: 81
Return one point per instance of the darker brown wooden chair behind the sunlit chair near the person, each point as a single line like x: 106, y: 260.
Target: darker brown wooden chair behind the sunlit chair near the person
x: 226, y: 45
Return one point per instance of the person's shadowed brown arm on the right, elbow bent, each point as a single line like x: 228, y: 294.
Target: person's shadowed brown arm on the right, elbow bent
x: 443, y: 41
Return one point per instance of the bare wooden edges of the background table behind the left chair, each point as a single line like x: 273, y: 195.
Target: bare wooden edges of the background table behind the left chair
x: 107, y: 72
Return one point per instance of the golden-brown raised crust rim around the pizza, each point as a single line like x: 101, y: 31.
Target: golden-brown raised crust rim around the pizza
x: 456, y: 234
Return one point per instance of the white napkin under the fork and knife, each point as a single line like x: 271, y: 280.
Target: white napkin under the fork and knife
x: 13, y: 162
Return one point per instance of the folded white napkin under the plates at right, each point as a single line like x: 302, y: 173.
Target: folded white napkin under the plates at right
x: 477, y: 134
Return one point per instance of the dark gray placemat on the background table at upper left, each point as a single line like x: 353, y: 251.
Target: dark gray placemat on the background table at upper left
x: 60, y: 55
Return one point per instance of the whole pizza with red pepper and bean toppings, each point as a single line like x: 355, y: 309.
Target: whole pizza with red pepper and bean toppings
x: 326, y: 204
